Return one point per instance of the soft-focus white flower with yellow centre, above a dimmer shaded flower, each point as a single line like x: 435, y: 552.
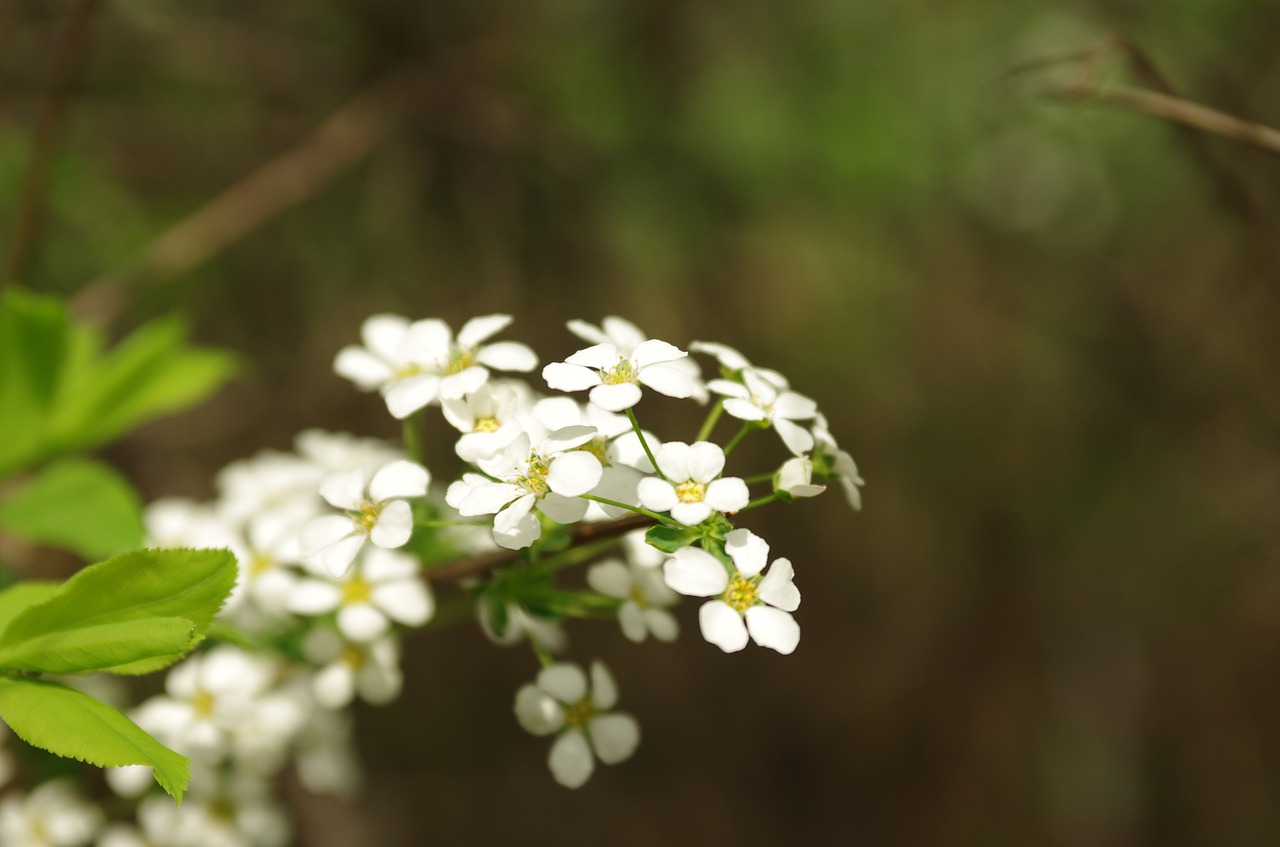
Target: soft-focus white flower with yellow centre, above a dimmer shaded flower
x: 386, y: 587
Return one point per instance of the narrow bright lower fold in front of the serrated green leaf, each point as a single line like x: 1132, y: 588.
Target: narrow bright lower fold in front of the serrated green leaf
x: 99, y: 647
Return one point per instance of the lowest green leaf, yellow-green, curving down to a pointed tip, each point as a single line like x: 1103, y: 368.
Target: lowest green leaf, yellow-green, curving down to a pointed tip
x: 72, y: 725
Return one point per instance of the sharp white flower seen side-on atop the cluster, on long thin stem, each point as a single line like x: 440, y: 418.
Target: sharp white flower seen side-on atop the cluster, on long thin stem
x: 615, y: 378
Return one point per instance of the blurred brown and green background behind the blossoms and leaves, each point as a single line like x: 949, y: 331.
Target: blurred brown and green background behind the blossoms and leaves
x: 1048, y: 332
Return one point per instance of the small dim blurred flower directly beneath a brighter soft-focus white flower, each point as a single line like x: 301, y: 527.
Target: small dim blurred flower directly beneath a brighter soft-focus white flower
x: 368, y: 670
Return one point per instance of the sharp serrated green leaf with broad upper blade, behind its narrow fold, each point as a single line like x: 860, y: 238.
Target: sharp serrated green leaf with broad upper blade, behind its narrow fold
x: 134, y: 587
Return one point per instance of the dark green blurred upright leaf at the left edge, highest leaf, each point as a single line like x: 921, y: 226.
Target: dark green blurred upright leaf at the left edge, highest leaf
x: 33, y: 347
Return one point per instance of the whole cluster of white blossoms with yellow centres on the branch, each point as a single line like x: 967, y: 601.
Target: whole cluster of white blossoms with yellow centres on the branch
x: 340, y: 541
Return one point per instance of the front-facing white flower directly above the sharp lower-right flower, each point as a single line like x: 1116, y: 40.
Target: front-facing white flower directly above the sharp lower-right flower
x: 692, y: 491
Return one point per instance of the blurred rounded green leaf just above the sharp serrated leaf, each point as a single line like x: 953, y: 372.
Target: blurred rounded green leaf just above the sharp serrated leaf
x: 80, y: 506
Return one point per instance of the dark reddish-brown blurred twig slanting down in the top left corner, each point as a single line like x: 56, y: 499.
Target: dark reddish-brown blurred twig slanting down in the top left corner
x: 71, y: 58
